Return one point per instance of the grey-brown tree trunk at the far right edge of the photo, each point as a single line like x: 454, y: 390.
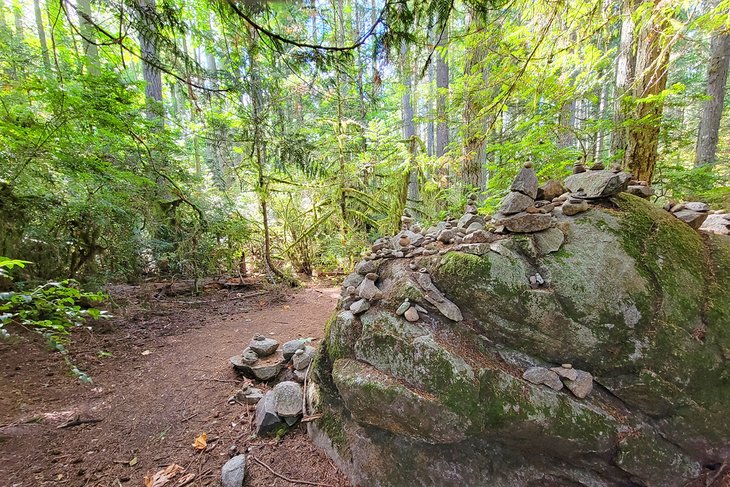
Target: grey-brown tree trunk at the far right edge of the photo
x: 717, y: 73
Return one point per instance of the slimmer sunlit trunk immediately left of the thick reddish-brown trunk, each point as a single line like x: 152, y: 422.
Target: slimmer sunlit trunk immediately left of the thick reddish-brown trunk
x: 625, y: 73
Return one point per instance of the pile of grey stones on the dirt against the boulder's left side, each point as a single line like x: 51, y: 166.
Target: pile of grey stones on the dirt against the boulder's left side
x: 264, y: 361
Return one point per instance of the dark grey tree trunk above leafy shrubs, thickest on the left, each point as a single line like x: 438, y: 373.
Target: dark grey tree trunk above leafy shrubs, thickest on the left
x: 148, y: 49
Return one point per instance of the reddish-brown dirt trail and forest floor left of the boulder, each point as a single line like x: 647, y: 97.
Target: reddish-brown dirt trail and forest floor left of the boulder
x: 161, y: 377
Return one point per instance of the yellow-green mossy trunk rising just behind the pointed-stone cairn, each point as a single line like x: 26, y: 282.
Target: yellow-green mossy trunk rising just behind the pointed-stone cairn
x: 475, y: 123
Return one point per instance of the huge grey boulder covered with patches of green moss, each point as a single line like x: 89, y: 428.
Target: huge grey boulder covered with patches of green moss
x: 629, y: 294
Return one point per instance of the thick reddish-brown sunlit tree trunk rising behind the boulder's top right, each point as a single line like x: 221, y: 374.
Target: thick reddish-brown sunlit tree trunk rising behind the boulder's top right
x: 652, y: 61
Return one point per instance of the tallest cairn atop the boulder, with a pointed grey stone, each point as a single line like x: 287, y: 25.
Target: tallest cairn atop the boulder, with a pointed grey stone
x: 518, y: 212
